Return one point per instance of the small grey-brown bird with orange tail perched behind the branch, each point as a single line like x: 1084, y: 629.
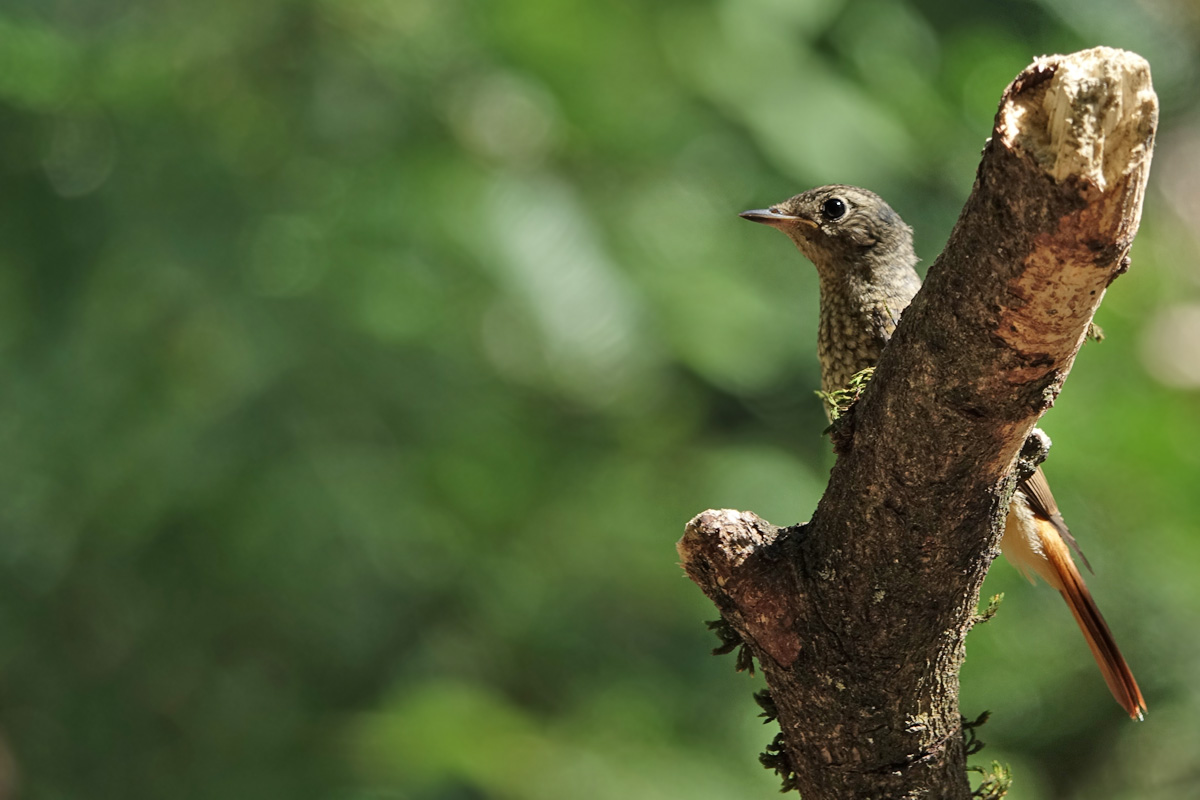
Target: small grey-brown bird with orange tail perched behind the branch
x: 866, y: 264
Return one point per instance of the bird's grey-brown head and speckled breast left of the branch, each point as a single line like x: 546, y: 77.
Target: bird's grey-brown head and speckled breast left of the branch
x: 865, y: 258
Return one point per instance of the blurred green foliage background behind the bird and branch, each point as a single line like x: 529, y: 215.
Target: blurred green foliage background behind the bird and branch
x: 364, y: 359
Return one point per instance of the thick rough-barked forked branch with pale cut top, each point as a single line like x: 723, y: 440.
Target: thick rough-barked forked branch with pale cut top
x: 859, y: 619
